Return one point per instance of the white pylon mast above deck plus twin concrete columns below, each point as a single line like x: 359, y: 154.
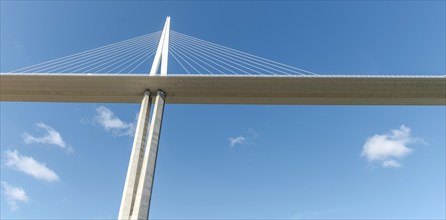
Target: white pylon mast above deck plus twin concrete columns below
x: 135, y: 202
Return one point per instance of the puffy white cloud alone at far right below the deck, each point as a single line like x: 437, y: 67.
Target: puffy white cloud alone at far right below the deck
x: 388, y: 149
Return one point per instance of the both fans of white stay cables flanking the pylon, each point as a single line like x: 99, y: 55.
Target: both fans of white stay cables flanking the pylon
x: 193, y: 55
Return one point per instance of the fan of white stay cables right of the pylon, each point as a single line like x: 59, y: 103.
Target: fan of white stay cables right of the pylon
x: 197, y: 56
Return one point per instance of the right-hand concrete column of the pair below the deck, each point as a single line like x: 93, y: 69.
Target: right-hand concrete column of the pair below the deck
x: 144, y: 192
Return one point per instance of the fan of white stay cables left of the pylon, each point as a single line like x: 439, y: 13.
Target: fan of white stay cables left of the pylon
x: 121, y: 57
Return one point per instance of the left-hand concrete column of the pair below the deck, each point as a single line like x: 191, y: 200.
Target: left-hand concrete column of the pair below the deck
x: 136, y: 159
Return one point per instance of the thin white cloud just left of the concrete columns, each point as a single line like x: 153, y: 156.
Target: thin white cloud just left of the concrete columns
x: 107, y: 119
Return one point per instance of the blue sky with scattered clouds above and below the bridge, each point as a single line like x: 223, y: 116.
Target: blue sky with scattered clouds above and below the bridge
x: 69, y: 160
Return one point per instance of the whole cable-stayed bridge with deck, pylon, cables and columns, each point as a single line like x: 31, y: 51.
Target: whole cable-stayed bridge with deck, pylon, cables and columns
x: 205, y: 72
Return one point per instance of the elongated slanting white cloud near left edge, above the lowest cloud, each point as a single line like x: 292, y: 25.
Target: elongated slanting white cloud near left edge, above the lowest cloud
x: 29, y: 166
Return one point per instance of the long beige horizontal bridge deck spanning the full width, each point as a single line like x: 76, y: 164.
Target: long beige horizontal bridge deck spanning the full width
x: 333, y: 90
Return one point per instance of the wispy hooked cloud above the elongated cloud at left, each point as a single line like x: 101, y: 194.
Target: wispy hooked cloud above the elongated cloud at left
x: 51, y: 136
